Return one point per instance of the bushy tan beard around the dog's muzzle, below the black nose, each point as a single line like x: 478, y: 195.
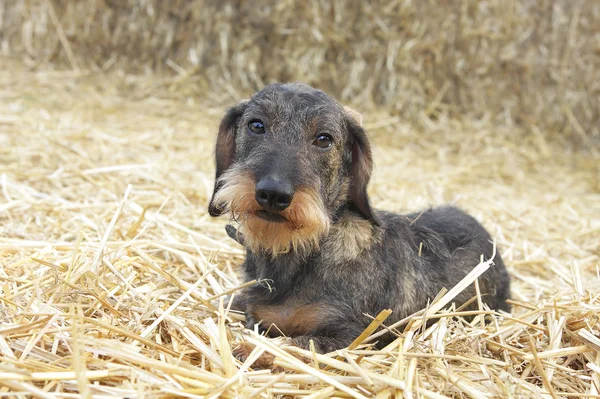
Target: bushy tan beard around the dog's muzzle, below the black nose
x: 307, y: 219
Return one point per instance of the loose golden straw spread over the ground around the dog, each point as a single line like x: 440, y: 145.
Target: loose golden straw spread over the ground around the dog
x: 112, y: 273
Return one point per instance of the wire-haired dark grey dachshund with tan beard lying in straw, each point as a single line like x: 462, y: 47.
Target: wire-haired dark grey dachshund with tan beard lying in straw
x: 292, y: 169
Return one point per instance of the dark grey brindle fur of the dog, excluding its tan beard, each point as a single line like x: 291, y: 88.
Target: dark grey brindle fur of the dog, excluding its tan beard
x: 387, y: 271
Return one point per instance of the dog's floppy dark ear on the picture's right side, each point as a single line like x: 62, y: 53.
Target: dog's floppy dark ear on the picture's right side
x: 361, y: 165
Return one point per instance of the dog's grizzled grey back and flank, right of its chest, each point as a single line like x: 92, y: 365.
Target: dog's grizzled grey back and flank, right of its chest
x: 407, y: 261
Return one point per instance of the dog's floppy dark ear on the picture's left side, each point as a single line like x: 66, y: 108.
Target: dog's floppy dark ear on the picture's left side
x: 225, y: 149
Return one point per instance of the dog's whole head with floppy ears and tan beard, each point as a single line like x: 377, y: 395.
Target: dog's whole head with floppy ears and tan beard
x: 287, y: 161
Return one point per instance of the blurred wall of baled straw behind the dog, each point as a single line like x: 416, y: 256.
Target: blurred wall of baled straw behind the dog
x: 527, y: 62
